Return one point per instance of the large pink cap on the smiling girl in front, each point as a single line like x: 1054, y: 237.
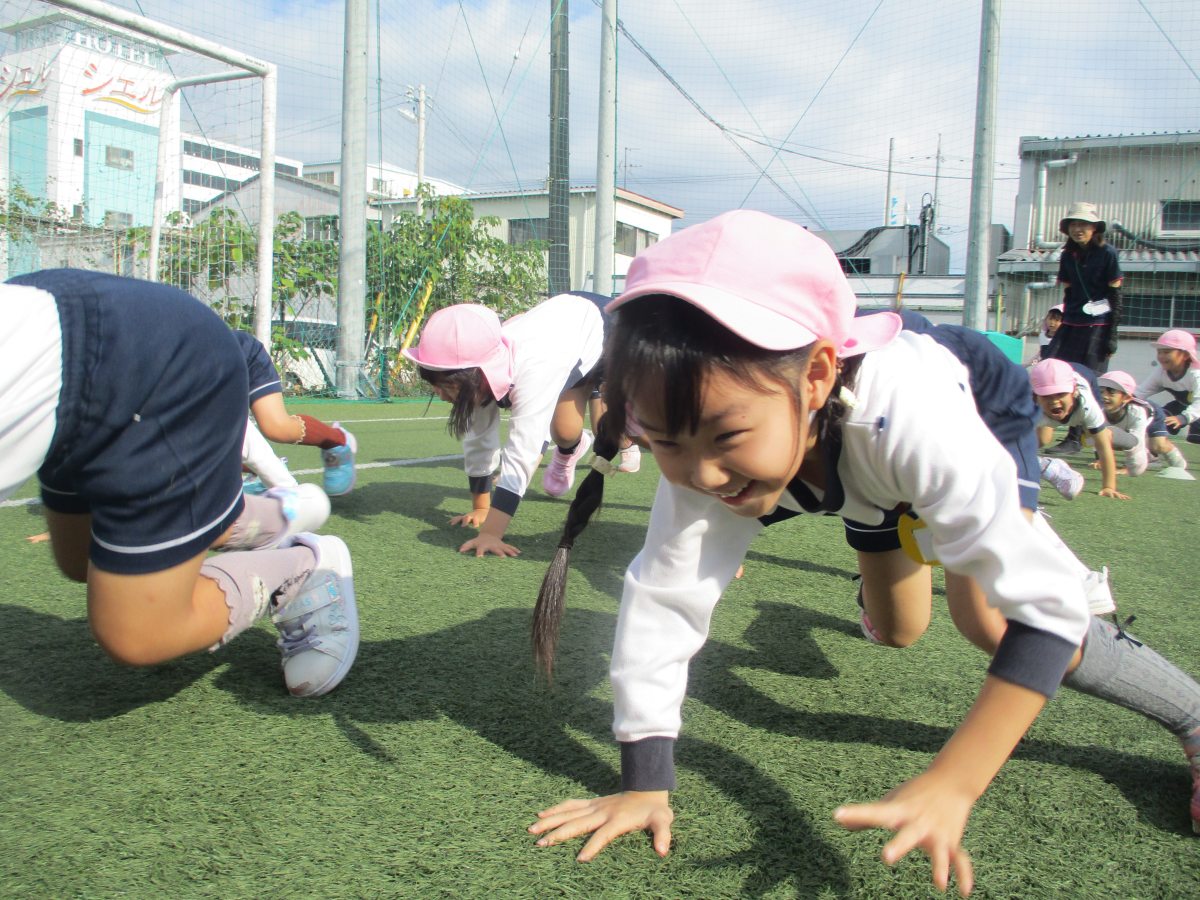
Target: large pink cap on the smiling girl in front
x: 767, y: 280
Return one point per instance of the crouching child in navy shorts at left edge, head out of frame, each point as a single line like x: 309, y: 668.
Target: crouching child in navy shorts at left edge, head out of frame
x: 129, y: 401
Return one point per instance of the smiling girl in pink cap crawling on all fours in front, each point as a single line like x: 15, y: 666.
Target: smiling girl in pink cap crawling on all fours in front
x: 737, y: 350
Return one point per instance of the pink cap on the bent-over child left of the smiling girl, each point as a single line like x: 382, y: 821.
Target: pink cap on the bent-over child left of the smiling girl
x: 466, y: 337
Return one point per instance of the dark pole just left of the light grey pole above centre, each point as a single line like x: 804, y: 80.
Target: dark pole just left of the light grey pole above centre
x: 559, y: 227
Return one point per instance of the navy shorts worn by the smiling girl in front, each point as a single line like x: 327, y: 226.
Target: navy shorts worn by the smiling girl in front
x: 1003, y: 397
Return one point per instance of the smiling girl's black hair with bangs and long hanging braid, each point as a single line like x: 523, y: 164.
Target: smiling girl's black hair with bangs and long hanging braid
x: 670, y: 346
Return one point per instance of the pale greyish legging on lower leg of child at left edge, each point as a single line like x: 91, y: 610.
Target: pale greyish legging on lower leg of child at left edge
x: 254, y: 579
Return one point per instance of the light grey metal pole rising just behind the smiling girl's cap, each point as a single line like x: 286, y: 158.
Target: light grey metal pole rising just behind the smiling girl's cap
x: 607, y: 153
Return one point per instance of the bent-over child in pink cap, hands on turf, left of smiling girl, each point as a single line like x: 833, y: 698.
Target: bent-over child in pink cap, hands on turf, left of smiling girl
x: 543, y: 367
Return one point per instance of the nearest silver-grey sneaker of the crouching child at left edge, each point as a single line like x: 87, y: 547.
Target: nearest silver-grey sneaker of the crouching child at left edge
x: 320, y: 627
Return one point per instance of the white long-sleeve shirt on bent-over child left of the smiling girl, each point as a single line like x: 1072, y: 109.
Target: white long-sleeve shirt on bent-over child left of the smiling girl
x: 554, y: 345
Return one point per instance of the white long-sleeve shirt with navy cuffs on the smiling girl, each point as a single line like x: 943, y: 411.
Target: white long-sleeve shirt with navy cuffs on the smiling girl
x: 914, y: 437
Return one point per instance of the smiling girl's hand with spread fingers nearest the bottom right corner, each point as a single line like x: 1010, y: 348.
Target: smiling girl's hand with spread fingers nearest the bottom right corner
x: 925, y: 813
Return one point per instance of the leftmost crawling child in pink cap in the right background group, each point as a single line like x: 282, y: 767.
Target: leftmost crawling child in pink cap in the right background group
x: 1069, y: 395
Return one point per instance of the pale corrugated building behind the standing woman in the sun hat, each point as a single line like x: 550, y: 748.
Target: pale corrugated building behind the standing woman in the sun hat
x: 1148, y: 190
